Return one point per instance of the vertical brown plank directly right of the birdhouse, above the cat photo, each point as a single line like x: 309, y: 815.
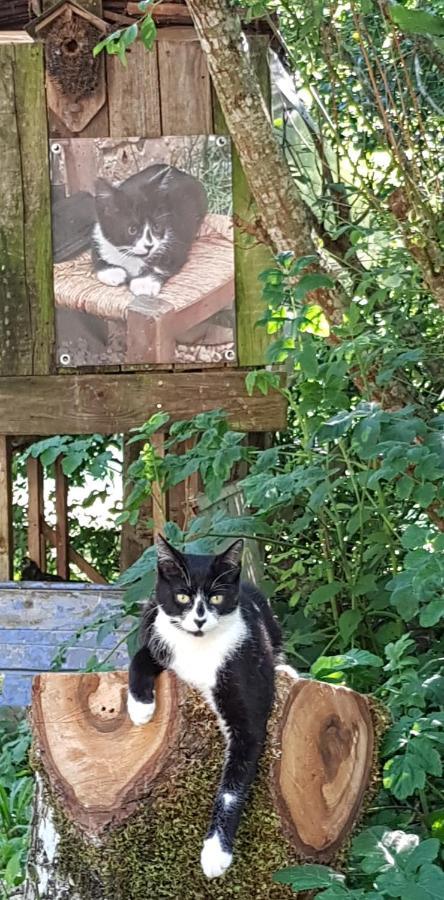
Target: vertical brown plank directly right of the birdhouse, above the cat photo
x: 133, y: 94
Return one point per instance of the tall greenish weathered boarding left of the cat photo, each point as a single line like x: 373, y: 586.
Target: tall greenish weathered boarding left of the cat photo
x: 26, y: 307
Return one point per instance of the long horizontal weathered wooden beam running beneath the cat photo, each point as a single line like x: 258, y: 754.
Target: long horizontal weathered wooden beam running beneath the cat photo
x: 84, y: 404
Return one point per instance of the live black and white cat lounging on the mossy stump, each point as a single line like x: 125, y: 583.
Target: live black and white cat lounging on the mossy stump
x: 219, y: 635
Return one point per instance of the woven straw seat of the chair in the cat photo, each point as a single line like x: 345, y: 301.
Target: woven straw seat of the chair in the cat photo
x: 209, y: 268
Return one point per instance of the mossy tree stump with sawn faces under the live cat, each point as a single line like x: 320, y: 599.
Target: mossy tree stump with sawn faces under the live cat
x: 121, y: 812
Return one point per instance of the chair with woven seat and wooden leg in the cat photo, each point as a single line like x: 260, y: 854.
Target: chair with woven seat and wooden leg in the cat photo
x: 202, y: 288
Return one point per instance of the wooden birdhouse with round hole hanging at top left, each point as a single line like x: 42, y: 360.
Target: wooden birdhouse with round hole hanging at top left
x: 75, y: 79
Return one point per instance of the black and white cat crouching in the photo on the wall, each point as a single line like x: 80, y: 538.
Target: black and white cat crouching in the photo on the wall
x: 145, y: 227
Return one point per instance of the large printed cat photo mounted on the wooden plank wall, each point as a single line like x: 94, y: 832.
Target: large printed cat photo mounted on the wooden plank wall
x: 143, y: 251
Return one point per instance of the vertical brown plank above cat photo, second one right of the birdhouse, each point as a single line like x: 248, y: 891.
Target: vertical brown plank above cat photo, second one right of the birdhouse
x: 185, y: 92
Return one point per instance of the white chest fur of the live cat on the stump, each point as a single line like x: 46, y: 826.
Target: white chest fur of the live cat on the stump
x: 197, y: 660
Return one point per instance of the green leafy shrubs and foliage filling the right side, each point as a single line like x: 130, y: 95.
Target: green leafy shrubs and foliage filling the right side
x: 348, y: 503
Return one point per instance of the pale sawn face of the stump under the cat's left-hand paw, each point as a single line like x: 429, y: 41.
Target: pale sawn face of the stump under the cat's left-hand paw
x: 98, y: 763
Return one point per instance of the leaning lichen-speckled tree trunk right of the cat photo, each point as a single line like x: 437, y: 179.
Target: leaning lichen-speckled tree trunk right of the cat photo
x: 283, y: 213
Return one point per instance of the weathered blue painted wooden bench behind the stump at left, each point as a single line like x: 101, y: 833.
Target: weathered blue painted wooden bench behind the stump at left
x: 35, y: 619
